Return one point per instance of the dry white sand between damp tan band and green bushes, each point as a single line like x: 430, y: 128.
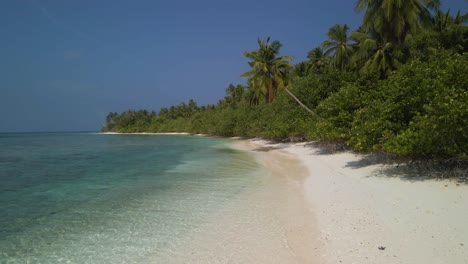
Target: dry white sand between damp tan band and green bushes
x: 358, y: 208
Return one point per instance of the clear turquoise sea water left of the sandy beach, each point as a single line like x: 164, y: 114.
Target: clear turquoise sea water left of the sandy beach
x: 95, y: 198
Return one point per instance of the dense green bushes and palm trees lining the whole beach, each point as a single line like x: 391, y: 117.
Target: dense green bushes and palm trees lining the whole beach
x: 398, y: 84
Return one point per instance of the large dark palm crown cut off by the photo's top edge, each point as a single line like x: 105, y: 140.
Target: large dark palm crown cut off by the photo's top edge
x: 395, y: 19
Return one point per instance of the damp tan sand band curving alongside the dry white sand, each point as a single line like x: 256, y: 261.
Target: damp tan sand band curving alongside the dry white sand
x: 301, y: 234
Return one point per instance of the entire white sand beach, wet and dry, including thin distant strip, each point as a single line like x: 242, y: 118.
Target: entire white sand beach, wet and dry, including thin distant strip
x: 320, y: 207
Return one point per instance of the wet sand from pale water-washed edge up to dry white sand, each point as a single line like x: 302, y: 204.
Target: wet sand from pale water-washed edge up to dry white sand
x: 269, y: 224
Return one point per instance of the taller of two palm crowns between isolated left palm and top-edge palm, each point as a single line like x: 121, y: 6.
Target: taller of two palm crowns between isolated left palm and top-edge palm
x: 338, y: 46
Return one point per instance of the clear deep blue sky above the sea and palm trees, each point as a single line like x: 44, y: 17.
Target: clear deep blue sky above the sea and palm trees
x: 65, y: 64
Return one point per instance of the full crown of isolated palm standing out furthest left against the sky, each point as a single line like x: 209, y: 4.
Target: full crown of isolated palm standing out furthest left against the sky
x: 268, y: 70
